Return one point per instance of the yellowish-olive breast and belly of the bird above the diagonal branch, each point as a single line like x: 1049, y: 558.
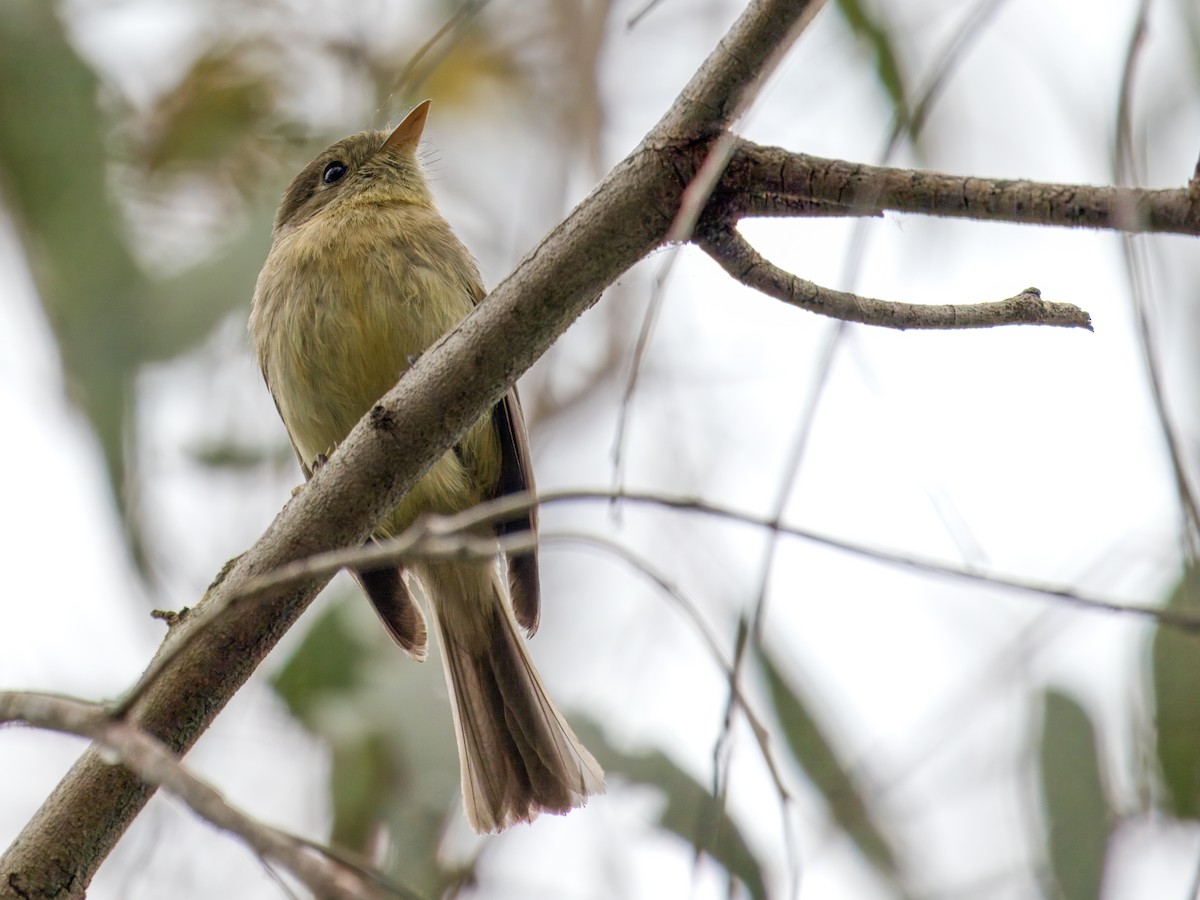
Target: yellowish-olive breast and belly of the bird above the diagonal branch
x: 343, y: 308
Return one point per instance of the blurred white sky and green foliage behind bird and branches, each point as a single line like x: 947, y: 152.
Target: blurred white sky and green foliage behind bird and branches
x: 907, y: 734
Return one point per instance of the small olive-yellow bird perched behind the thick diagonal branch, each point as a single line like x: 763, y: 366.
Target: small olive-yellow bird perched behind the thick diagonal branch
x: 362, y: 278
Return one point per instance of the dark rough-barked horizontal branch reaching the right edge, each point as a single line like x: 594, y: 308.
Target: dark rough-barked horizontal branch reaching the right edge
x: 757, y: 172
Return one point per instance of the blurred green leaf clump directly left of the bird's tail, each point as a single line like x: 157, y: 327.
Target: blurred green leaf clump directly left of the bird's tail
x: 387, y: 722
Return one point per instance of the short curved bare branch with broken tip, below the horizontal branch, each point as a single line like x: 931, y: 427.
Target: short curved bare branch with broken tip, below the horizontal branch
x: 742, y: 262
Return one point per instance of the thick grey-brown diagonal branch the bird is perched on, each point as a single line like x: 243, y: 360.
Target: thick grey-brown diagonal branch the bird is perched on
x: 448, y: 388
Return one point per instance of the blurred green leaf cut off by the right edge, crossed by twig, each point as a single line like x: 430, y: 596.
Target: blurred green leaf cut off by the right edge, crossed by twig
x: 1175, y: 669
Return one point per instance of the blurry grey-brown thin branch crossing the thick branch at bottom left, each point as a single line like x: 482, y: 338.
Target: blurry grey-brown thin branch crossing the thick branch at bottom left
x: 154, y: 764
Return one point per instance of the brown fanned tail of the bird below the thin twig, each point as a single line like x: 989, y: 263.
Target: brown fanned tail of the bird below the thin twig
x: 519, y: 757
